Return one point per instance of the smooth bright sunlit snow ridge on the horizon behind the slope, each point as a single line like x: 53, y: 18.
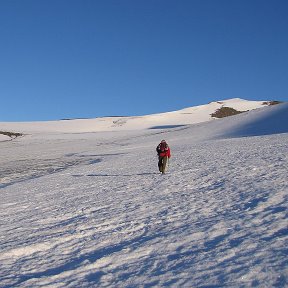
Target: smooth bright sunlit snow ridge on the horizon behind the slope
x: 185, y: 116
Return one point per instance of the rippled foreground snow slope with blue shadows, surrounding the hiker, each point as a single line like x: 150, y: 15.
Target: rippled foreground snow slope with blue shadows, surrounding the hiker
x: 91, y: 210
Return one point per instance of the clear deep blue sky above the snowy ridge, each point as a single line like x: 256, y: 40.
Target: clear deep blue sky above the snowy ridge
x: 89, y: 58
